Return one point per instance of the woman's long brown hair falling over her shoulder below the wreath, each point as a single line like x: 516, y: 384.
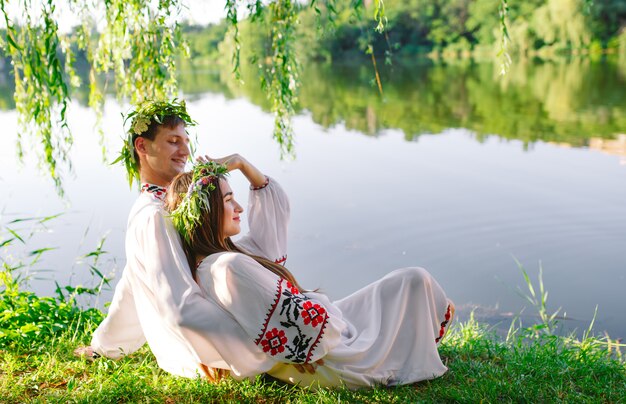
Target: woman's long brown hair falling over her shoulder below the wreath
x: 208, y: 238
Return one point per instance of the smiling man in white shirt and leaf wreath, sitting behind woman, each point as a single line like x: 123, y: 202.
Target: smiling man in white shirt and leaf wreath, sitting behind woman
x: 156, y: 300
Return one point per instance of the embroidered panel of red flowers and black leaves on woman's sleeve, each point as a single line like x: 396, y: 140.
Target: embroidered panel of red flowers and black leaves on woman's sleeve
x: 296, y: 325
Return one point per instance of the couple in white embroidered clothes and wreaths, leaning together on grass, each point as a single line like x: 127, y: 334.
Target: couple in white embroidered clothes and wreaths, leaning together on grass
x: 214, y: 307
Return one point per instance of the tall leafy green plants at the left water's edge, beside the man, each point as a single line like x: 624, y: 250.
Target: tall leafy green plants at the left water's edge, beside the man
x: 27, y: 319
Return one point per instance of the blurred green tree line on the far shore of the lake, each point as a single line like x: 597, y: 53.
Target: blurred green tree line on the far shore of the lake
x: 447, y: 28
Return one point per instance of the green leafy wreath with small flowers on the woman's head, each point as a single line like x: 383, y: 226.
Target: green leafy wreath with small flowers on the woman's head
x: 205, y: 179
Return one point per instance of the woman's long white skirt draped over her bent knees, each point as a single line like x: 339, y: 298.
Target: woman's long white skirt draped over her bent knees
x: 393, y: 329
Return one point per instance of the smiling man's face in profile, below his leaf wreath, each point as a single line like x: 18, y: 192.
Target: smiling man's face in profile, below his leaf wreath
x: 165, y: 156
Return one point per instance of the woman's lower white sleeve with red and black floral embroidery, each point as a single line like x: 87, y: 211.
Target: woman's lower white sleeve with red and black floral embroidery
x: 286, y: 325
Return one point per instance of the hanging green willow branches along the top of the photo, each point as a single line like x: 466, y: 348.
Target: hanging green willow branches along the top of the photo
x: 133, y: 51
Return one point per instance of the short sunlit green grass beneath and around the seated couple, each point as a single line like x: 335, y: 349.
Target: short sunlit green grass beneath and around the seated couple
x: 530, y: 366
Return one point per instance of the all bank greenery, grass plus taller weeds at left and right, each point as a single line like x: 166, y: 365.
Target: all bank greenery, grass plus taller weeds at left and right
x: 531, y: 364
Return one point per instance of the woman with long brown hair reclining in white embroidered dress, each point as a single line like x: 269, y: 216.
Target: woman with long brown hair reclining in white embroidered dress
x: 386, y: 333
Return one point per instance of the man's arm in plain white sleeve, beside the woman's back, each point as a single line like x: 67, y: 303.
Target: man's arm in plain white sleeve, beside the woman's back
x: 208, y: 332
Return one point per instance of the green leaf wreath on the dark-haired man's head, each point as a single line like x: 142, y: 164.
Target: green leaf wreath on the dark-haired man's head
x: 140, y: 119
